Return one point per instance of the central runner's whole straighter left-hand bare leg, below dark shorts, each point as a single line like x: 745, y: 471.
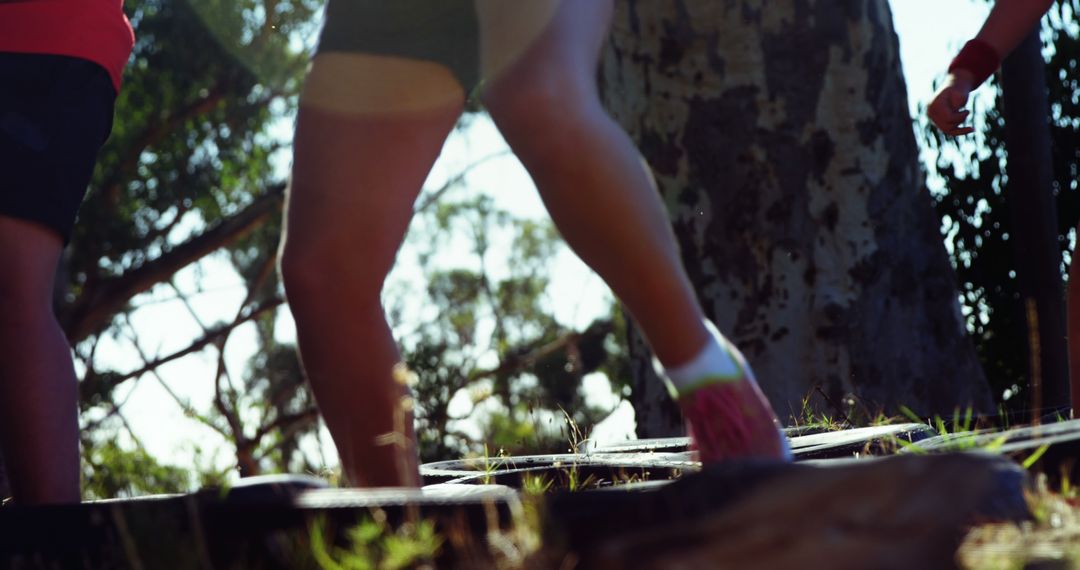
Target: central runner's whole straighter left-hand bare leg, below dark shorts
x: 369, y: 131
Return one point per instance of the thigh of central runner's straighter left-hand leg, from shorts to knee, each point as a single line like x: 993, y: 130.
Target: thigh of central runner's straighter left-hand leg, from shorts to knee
x: 369, y: 131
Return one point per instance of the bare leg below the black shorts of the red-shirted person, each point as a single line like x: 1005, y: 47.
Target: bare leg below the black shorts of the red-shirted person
x: 39, y: 428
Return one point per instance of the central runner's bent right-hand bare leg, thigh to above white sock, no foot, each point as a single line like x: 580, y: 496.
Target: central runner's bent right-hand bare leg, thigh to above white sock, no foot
x: 595, y: 183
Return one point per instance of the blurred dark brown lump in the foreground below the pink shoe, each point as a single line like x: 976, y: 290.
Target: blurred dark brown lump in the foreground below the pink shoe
x: 903, y: 513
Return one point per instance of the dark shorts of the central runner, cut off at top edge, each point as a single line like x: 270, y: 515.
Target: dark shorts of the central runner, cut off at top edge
x: 444, y: 32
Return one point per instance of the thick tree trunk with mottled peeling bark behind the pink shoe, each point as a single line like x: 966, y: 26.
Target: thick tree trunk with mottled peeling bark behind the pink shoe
x: 782, y: 145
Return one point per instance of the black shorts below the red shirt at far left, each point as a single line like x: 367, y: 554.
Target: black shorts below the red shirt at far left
x: 56, y: 114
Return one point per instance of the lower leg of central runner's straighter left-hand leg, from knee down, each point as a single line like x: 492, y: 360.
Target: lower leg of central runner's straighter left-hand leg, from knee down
x: 352, y: 361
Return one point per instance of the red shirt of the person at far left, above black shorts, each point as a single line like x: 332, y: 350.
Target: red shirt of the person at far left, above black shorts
x: 97, y: 31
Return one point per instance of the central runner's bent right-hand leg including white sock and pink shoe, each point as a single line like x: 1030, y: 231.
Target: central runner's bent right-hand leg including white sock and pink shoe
x: 601, y: 196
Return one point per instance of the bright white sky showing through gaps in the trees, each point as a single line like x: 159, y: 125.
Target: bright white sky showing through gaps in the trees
x: 165, y: 325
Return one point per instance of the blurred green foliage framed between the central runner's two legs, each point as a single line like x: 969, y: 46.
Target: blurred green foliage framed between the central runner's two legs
x: 488, y: 332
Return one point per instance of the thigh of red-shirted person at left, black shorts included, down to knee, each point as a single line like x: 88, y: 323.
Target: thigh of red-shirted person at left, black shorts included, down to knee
x: 56, y: 114
